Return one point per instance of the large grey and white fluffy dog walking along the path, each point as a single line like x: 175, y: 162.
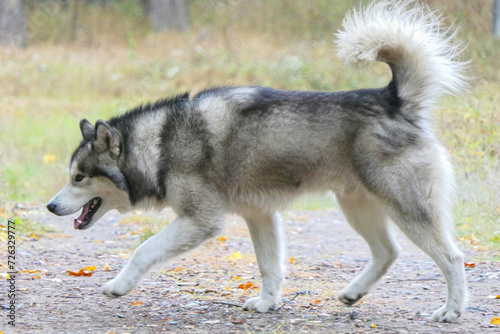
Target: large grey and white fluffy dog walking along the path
x: 253, y: 150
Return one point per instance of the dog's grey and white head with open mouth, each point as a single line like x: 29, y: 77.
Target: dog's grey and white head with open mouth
x: 96, y: 183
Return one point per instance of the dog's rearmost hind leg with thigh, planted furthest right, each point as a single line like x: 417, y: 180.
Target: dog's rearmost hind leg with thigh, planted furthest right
x: 415, y: 189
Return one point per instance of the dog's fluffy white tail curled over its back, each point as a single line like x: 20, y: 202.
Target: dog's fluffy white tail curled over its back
x: 408, y: 36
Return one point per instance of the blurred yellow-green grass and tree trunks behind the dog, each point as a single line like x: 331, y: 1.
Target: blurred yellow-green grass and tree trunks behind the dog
x: 63, y: 60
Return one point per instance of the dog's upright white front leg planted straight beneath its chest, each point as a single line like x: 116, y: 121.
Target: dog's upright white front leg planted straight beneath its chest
x: 265, y: 230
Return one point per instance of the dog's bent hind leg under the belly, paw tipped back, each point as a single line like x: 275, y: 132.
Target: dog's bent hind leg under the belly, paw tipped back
x: 367, y: 216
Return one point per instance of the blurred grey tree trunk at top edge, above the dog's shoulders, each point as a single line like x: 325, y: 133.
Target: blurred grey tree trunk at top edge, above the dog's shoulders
x: 167, y: 14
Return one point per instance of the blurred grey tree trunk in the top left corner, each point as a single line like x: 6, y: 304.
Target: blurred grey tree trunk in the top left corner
x: 12, y: 23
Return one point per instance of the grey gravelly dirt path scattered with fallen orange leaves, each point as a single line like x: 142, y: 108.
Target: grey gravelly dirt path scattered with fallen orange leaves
x: 197, y: 293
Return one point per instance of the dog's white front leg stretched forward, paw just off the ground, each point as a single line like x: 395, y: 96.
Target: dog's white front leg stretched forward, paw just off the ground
x: 181, y: 235
